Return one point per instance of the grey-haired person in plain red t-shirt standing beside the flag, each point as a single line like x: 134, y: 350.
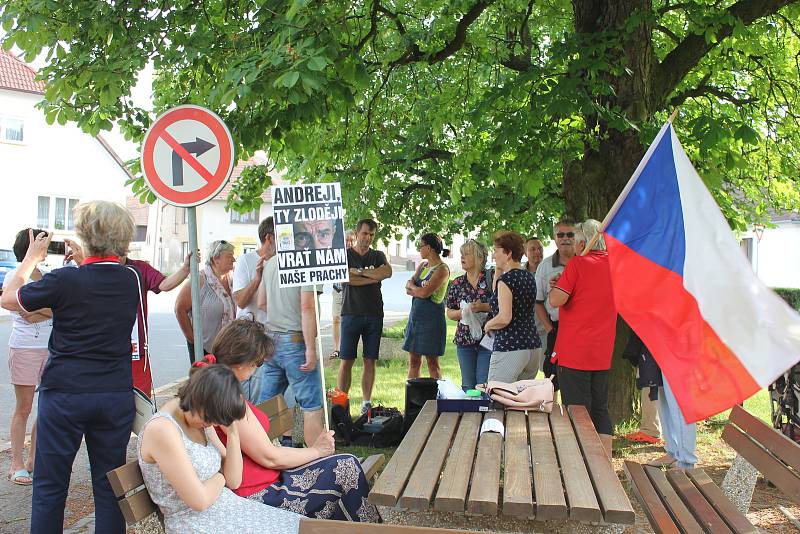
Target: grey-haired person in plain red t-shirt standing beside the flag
x: 586, y: 330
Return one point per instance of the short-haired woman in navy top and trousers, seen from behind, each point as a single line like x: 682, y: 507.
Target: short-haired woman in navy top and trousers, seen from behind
x: 85, y: 390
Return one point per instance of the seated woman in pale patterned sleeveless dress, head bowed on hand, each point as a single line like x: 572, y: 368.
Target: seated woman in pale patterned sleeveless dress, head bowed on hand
x: 180, y: 458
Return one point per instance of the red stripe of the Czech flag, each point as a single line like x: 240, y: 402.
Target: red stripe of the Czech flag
x: 705, y: 375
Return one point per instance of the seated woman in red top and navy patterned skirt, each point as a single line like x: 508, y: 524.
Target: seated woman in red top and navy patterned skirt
x: 312, y: 481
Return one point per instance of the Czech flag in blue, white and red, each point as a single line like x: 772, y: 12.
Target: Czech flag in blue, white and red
x: 681, y: 281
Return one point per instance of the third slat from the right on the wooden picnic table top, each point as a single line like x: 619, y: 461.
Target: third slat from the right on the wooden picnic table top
x: 549, y: 492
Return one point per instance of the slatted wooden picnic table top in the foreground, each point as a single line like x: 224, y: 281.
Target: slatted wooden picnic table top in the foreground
x: 549, y: 466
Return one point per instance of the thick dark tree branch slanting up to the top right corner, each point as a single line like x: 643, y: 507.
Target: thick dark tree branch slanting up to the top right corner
x: 685, y: 56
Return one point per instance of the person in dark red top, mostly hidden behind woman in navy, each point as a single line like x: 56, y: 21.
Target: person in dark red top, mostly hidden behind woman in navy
x: 152, y: 280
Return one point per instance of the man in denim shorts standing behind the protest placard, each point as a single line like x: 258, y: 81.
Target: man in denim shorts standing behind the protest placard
x: 292, y: 326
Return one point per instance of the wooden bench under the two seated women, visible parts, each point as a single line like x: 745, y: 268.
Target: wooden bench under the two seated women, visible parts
x: 135, y: 502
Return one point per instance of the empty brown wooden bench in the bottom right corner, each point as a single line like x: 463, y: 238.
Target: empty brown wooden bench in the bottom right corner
x: 687, y: 500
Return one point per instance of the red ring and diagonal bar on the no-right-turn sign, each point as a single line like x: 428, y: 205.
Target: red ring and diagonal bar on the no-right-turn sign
x: 215, y: 179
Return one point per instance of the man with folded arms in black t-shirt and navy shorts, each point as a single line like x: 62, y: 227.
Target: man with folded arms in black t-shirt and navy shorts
x: 362, y: 310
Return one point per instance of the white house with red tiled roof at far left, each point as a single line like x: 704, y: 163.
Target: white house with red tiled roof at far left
x: 48, y: 169
